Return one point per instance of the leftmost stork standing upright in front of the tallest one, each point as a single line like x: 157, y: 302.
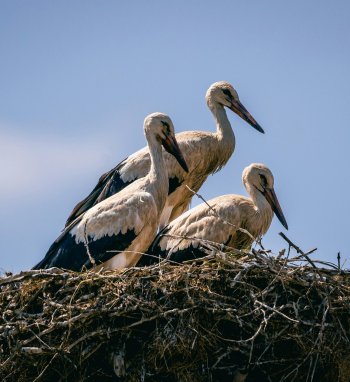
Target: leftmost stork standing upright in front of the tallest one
x: 115, y: 232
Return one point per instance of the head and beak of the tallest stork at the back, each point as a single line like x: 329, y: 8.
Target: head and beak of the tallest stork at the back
x: 224, y: 94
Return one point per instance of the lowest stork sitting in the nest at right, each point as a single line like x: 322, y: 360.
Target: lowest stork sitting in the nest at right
x: 233, y: 221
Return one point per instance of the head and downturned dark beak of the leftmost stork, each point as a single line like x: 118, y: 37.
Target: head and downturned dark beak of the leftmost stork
x: 159, y: 126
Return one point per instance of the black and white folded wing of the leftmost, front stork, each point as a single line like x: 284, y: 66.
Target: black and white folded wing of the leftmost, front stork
x: 100, y: 234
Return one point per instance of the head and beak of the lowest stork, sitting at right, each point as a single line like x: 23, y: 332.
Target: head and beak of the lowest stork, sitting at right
x: 257, y: 177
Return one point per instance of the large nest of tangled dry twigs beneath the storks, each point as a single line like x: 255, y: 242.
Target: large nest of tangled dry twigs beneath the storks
x: 227, y: 318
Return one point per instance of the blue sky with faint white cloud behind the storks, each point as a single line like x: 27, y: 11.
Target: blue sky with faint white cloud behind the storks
x: 77, y: 79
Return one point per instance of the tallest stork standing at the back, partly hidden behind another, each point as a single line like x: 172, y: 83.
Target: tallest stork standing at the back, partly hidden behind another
x: 205, y: 153
